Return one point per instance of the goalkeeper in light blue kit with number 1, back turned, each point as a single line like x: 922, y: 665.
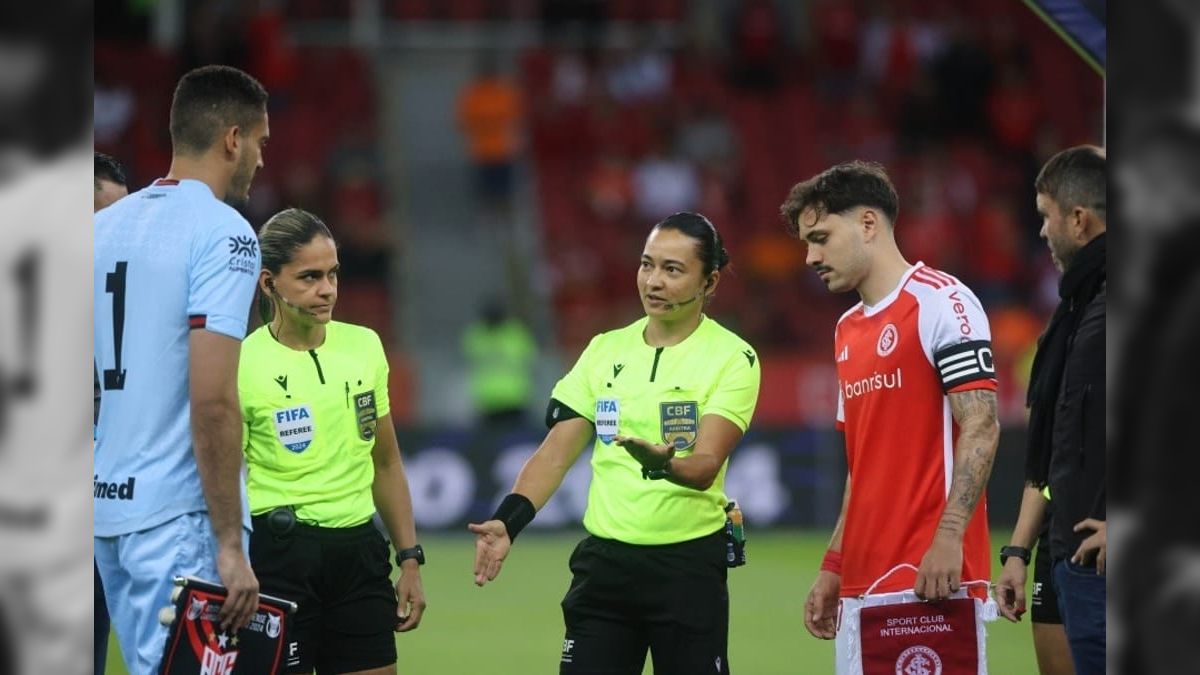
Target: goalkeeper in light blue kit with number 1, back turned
x: 176, y: 268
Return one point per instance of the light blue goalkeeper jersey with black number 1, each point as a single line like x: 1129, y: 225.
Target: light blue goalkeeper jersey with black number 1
x: 169, y: 260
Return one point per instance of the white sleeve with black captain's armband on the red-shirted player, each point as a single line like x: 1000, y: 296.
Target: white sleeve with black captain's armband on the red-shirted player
x: 958, y: 339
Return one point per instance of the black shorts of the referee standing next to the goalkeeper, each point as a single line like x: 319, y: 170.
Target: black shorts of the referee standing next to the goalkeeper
x: 340, y: 578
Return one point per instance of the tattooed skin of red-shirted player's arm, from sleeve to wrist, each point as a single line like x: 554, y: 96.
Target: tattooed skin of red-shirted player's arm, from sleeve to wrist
x: 976, y: 415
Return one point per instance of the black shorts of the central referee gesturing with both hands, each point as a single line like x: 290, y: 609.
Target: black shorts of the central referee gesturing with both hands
x: 626, y: 600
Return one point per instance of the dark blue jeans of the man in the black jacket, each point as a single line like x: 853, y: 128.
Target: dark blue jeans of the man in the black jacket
x: 1082, y: 600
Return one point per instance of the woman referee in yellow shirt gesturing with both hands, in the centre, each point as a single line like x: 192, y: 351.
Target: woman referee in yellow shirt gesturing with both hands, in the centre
x: 668, y: 398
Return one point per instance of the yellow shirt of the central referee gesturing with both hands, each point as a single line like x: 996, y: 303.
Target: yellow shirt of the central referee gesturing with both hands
x: 625, y: 386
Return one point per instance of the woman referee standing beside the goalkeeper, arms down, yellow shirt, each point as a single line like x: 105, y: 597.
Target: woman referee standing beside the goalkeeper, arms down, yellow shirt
x: 322, y: 458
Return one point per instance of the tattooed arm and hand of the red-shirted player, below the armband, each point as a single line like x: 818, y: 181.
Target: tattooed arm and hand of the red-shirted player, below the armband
x: 975, y: 413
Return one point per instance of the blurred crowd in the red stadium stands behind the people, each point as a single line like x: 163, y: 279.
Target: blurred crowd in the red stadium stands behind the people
x: 617, y: 114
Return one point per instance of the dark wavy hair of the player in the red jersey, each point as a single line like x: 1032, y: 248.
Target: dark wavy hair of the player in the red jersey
x: 841, y: 189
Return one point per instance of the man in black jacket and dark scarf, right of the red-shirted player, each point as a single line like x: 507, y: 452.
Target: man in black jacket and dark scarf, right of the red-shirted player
x: 1066, y: 453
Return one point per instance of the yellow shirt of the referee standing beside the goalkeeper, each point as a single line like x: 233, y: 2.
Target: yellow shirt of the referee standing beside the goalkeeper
x: 310, y: 423
